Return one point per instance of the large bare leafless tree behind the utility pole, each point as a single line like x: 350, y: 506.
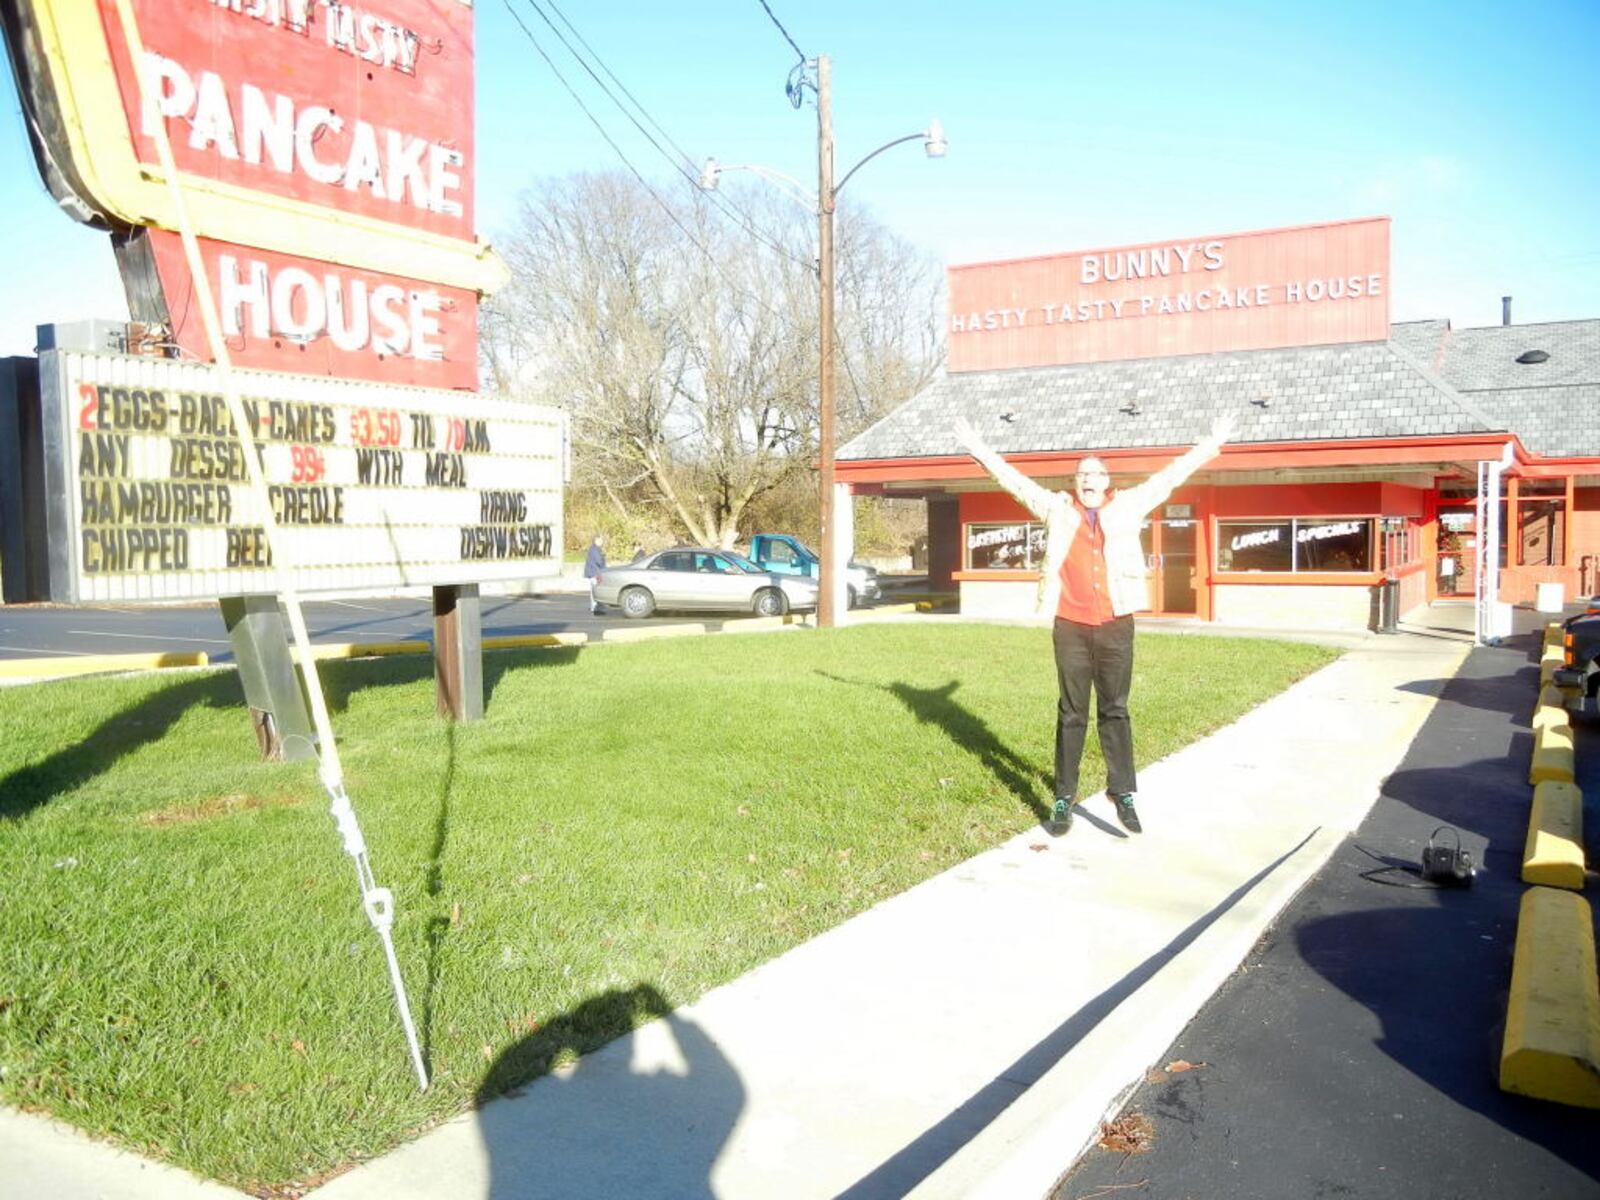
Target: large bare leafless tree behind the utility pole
x: 686, y: 348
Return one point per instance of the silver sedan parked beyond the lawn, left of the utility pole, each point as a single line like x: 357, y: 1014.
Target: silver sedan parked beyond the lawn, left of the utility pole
x: 698, y: 578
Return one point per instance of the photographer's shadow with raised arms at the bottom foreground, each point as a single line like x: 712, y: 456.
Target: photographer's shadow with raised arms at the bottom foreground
x: 609, y: 1129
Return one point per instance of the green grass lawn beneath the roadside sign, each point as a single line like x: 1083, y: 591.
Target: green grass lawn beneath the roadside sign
x: 185, y: 964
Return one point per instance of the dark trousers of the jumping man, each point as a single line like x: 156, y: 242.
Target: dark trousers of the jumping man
x: 1100, y: 655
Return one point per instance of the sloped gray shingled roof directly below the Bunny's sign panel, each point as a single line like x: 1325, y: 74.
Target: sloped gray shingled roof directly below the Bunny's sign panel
x: 1366, y: 390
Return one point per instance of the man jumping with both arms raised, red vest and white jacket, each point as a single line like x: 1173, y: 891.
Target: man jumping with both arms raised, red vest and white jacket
x: 1092, y: 583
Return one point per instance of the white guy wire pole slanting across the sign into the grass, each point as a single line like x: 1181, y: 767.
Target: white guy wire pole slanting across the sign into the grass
x: 377, y: 902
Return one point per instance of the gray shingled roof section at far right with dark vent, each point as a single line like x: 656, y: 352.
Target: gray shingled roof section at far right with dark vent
x: 1554, y: 407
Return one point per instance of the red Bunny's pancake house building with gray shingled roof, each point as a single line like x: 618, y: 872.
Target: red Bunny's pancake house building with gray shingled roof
x: 1369, y: 454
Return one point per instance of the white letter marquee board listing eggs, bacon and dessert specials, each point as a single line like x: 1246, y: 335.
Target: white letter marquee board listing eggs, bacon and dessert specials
x: 374, y: 487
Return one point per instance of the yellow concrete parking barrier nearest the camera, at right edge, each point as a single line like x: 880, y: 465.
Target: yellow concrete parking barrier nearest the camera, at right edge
x: 1553, y: 1022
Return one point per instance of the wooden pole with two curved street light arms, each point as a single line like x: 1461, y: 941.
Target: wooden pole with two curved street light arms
x: 831, y: 593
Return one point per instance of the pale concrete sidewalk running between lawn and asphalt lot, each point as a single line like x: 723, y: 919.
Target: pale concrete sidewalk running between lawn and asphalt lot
x: 967, y: 1036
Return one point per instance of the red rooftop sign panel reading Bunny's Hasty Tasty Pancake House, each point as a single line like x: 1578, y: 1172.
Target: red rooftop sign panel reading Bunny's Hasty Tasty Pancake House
x: 1310, y: 286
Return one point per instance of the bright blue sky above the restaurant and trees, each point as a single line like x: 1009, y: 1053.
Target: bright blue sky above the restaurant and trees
x: 1071, y: 127
